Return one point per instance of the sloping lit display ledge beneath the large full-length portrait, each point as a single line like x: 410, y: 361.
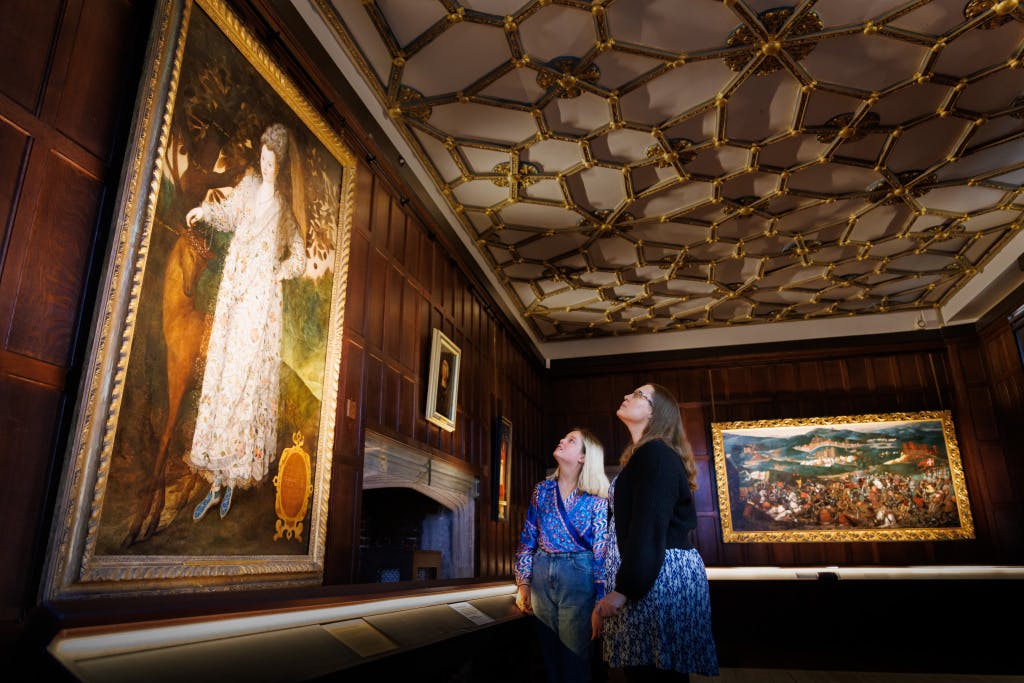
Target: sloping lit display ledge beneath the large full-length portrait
x: 292, y: 646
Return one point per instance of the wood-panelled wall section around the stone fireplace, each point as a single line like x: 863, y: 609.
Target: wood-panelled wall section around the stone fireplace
x: 403, y: 283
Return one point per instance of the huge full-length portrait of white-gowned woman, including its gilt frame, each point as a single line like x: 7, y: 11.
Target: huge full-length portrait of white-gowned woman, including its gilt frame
x: 200, y: 458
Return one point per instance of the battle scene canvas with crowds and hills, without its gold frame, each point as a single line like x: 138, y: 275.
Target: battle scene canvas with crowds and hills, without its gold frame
x: 878, y: 476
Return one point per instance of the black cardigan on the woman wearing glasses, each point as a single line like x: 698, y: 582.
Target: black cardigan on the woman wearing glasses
x: 654, y: 510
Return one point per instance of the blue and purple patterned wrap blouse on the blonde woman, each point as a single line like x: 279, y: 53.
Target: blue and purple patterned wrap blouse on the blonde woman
x: 544, y: 529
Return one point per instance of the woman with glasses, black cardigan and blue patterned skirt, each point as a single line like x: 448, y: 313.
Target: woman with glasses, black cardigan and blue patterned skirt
x: 656, y: 618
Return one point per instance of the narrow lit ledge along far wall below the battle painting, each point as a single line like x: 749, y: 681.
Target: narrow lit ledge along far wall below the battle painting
x: 947, y: 572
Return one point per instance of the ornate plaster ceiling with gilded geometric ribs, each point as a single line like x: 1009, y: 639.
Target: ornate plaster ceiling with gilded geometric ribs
x: 627, y: 167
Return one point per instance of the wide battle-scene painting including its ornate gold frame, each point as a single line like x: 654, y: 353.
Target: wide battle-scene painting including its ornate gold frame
x: 867, y: 478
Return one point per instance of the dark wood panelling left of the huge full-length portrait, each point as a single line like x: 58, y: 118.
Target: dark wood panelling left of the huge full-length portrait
x: 66, y: 91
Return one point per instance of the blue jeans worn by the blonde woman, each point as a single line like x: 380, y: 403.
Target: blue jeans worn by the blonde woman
x: 564, y: 594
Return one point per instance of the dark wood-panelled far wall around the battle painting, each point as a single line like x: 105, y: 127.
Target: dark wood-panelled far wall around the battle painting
x: 978, y: 377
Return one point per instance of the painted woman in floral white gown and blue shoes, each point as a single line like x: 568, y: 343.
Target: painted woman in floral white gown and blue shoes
x: 236, y: 435
